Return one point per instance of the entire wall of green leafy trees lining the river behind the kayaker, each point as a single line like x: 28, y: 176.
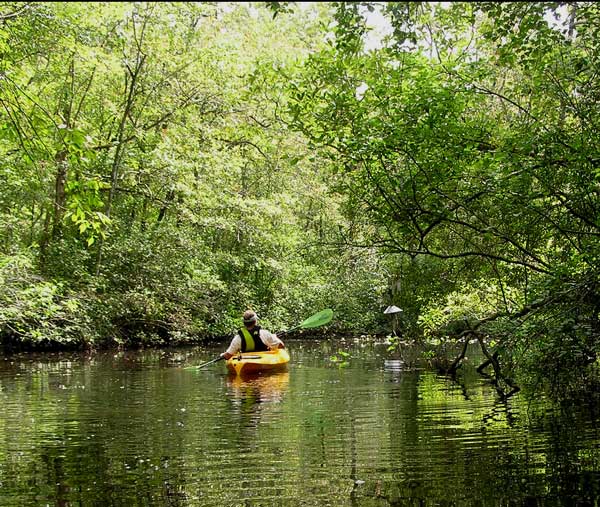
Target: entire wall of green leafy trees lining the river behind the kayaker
x: 166, y: 165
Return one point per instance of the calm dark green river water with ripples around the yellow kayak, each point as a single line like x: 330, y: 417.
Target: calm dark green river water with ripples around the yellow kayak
x: 136, y: 428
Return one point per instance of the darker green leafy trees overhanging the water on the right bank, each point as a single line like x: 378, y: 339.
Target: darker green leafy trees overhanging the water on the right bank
x: 477, y: 155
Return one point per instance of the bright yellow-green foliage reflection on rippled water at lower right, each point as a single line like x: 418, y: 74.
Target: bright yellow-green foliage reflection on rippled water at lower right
x: 438, y: 435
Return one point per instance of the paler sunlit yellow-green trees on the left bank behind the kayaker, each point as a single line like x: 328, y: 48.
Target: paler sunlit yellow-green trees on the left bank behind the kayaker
x: 147, y: 168
